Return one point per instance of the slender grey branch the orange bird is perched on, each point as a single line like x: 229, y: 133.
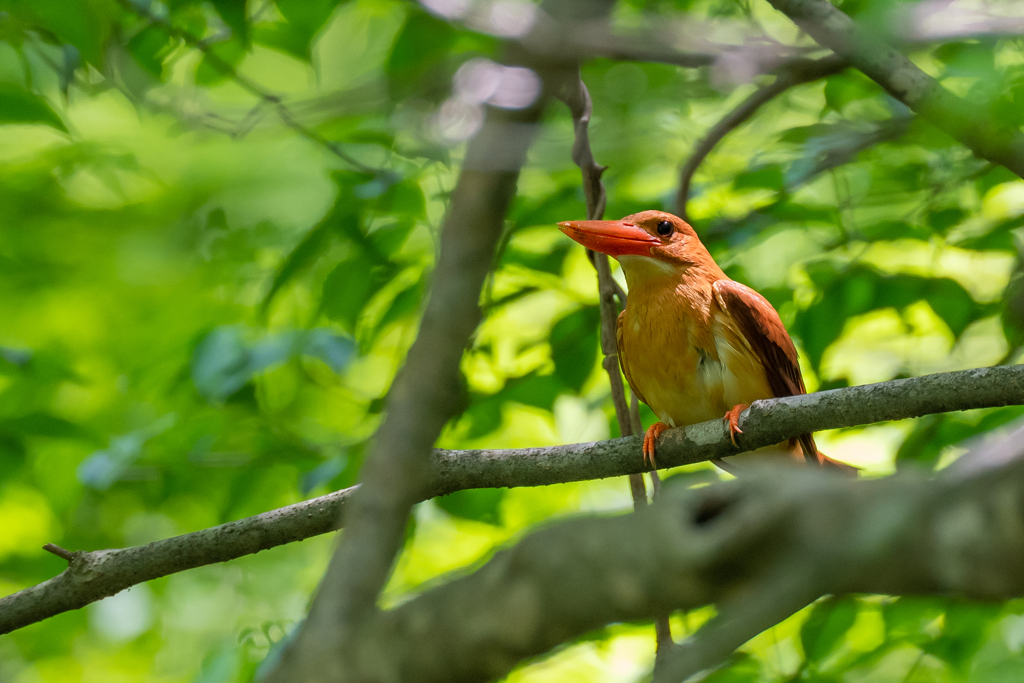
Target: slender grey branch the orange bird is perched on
x: 94, y: 576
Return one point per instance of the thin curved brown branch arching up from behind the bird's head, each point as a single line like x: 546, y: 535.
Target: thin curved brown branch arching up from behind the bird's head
x: 790, y: 75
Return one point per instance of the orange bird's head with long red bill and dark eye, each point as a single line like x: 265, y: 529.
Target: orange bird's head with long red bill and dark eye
x: 650, y: 241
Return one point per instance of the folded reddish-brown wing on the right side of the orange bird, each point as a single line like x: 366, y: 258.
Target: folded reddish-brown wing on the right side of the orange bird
x: 761, y: 326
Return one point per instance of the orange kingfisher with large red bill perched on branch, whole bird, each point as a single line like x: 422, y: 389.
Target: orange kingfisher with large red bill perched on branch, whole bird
x: 694, y: 345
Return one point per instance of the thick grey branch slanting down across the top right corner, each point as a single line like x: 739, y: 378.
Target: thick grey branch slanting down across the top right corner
x: 968, y: 122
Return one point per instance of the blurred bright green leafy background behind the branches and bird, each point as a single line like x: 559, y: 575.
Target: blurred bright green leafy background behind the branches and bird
x: 218, y: 226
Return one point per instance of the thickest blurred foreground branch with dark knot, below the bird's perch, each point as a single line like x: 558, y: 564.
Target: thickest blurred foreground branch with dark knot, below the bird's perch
x: 791, y: 536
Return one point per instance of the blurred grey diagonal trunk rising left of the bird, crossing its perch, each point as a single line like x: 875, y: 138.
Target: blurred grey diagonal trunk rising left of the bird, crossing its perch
x: 426, y: 395
